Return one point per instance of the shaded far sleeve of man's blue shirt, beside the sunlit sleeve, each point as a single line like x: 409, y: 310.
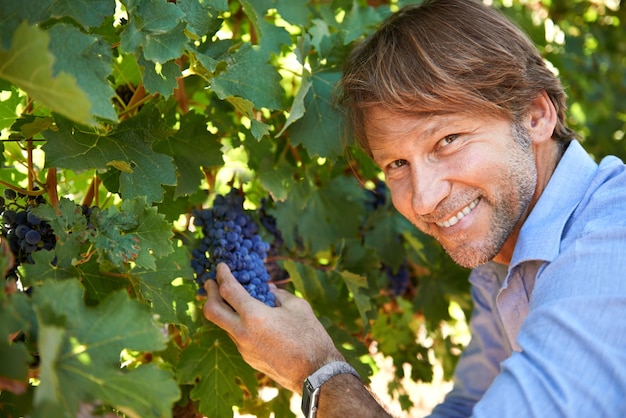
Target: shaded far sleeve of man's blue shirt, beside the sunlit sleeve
x: 480, y: 361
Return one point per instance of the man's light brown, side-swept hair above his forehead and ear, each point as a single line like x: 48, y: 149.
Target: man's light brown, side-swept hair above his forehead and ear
x: 448, y: 56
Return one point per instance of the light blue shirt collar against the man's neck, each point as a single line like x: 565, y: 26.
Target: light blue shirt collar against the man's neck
x: 540, y: 236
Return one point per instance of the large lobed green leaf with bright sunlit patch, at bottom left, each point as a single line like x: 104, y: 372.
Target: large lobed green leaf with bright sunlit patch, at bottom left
x: 81, y: 347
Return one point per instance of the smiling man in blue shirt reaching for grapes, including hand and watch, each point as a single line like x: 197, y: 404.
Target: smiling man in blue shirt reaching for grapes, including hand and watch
x: 459, y: 110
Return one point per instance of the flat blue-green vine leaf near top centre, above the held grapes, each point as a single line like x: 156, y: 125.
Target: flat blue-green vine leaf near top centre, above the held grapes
x: 261, y: 85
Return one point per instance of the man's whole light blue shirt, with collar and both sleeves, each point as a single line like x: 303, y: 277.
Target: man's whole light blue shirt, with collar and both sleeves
x: 549, y: 331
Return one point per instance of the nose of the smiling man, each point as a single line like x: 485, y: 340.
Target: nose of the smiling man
x: 429, y: 186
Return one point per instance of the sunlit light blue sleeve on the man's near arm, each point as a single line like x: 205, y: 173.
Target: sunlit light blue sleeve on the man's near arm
x: 573, y: 341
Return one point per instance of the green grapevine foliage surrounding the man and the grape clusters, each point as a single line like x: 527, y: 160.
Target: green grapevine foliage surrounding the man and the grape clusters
x: 148, y: 109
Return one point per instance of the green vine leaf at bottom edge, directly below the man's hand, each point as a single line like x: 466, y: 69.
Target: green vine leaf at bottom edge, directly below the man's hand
x: 215, y: 365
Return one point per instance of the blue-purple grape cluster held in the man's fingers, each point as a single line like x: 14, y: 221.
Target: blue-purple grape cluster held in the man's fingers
x: 230, y: 236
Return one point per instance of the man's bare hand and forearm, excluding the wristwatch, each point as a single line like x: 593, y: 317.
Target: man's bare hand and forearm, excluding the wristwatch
x: 287, y: 343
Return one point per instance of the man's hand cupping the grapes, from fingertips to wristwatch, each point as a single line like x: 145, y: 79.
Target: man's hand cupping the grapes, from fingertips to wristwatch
x: 287, y: 342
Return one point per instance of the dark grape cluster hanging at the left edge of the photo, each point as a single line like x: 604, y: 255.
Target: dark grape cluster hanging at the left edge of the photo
x: 23, y: 230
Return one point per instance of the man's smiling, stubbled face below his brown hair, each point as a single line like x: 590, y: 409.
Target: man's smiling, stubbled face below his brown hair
x: 466, y: 181
